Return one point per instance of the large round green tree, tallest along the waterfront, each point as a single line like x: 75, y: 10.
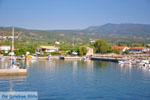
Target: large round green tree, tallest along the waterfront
x: 100, y: 46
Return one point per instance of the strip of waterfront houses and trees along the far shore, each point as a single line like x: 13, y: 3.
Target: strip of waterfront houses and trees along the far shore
x: 84, y: 50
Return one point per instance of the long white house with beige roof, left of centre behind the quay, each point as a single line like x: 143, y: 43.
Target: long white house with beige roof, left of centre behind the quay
x: 47, y: 48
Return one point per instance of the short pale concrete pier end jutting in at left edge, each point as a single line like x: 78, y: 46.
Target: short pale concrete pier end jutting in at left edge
x: 13, y: 72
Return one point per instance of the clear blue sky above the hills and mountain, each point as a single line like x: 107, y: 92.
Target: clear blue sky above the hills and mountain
x: 72, y: 14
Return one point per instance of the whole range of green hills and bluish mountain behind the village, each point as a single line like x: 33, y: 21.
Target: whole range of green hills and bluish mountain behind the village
x: 110, y: 32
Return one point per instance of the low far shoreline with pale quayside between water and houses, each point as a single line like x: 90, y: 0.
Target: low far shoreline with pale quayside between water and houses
x: 102, y: 57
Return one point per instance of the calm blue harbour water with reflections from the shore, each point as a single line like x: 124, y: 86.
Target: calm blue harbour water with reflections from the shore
x: 79, y: 80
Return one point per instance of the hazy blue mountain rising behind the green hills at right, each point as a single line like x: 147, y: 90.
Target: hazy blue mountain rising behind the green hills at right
x: 122, y: 29
